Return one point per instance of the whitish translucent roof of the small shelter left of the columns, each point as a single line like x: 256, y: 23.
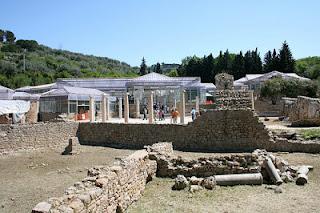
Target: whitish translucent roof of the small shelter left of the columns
x: 74, y: 93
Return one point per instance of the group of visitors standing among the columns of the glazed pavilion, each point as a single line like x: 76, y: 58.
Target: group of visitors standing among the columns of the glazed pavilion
x: 161, y: 110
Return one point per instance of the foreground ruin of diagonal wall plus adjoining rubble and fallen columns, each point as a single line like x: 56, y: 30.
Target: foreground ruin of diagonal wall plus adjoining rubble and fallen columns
x: 114, y: 188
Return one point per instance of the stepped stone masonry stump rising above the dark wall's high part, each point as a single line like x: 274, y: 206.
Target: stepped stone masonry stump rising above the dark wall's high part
x: 228, y: 98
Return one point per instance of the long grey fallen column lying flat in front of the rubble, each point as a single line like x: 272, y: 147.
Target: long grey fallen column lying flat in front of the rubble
x: 239, y: 179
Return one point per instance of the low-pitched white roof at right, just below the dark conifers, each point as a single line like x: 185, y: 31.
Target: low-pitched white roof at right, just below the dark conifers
x: 256, y: 78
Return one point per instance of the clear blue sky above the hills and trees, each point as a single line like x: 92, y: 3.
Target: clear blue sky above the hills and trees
x: 165, y: 30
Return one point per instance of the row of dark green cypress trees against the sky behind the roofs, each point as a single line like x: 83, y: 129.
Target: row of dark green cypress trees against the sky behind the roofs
x: 238, y: 65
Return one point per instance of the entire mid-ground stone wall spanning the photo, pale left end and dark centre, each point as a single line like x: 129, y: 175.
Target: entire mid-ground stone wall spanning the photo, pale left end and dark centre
x: 214, y: 130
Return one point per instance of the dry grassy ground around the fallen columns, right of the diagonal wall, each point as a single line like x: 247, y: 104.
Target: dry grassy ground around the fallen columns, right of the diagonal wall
x: 158, y: 196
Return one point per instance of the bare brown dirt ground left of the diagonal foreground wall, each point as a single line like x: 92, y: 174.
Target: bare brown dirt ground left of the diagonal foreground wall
x: 29, y: 178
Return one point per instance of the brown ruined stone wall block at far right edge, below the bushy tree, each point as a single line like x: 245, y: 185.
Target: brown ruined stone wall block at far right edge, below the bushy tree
x: 302, y: 111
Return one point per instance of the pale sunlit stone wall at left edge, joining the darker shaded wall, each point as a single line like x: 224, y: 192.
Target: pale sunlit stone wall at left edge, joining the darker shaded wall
x: 21, y: 137
